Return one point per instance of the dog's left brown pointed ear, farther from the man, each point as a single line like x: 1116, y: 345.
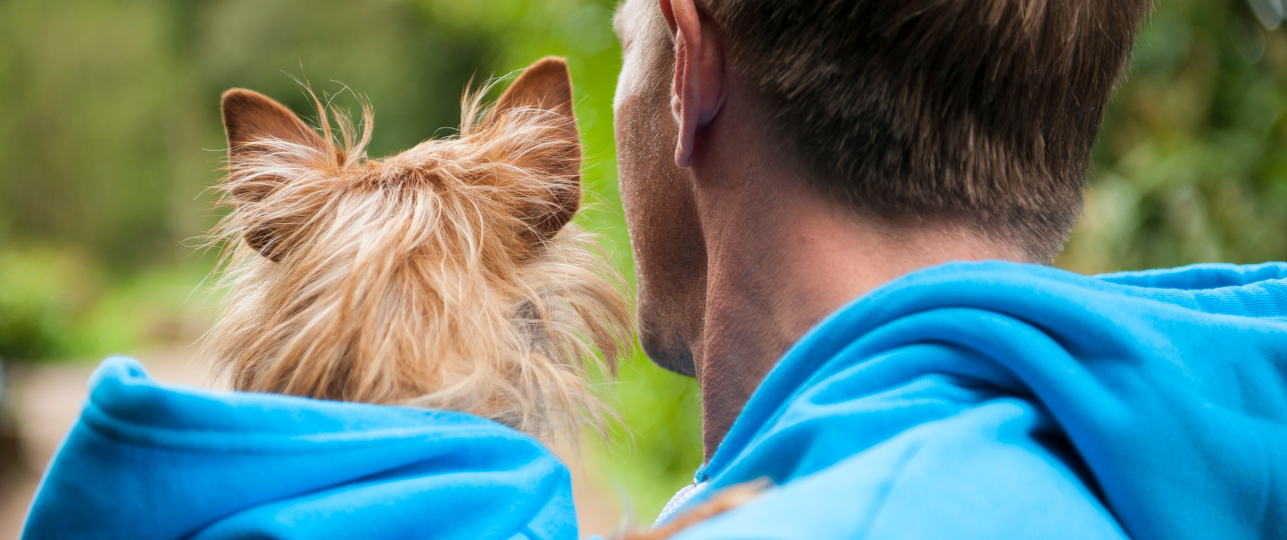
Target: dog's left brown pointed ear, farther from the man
x: 252, y: 121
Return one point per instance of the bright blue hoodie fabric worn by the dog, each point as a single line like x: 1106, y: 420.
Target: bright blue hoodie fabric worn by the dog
x: 153, y: 462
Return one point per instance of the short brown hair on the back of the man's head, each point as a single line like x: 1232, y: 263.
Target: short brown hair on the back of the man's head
x: 977, y: 110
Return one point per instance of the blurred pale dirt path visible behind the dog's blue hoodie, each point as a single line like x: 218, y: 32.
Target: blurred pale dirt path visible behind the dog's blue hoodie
x: 46, y: 399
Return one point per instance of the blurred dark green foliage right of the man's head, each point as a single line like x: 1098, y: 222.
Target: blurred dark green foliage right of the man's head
x: 1192, y: 164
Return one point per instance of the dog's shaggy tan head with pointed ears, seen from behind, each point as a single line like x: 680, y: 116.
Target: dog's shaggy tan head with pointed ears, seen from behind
x: 443, y: 277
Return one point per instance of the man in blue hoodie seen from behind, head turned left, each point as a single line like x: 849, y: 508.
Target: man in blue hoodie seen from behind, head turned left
x: 801, y: 175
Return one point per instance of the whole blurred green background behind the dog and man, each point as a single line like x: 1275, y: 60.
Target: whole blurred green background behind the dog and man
x: 110, y: 139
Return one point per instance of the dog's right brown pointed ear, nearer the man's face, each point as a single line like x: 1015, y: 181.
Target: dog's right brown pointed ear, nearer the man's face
x: 546, y: 85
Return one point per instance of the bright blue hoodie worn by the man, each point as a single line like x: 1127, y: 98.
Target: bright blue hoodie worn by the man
x: 1011, y: 402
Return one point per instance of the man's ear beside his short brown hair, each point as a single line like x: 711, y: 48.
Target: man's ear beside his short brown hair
x: 699, y: 84
